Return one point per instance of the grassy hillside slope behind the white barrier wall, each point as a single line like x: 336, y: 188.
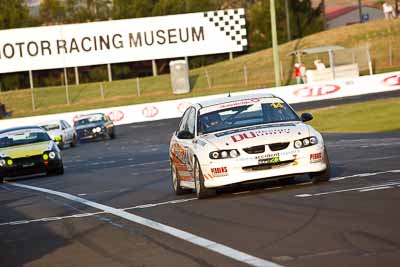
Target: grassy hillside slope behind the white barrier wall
x: 226, y: 76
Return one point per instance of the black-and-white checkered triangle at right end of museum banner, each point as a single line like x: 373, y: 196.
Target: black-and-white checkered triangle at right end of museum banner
x: 232, y: 22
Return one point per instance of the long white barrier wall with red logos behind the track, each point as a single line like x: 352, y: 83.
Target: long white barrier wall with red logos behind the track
x: 174, y: 108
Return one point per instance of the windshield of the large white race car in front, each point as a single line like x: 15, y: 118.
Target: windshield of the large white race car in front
x: 247, y: 115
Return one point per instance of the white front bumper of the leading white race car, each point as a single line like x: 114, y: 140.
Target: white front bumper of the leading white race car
x: 292, y: 162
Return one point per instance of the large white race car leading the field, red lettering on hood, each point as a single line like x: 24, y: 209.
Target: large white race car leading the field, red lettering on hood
x: 244, y: 138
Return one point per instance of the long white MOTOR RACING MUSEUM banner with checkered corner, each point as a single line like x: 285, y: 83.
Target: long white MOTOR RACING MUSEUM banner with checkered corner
x: 127, y: 40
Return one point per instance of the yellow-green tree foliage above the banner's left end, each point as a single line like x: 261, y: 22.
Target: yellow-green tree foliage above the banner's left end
x: 14, y: 14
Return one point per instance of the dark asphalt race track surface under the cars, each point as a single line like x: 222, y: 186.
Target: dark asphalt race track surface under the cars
x: 88, y: 216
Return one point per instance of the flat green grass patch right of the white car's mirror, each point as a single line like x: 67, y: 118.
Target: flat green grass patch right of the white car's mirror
x: 371, y: 116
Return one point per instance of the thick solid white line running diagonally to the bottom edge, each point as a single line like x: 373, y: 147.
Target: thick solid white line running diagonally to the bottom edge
x: 194, y: 239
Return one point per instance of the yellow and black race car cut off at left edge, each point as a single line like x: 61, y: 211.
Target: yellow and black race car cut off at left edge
x: 28, y: 150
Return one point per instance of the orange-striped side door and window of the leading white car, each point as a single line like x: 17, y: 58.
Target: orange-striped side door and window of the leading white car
x: 183, y: 146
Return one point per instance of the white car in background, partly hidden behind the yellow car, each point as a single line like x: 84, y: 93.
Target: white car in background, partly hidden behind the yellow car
x: 63, y: 129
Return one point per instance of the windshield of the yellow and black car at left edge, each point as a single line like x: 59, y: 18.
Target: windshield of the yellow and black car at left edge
x: 22, y: 138
